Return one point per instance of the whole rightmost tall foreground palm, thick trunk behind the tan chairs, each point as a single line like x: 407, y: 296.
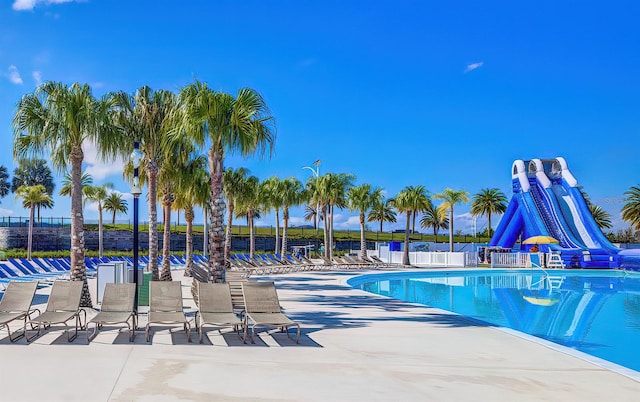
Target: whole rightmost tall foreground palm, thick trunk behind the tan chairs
x: 228, y: 124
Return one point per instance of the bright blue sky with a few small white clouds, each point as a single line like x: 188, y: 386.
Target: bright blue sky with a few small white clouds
x: 443, y: 94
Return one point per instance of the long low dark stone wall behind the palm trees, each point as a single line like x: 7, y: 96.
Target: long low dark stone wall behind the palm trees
x: 52, y: 239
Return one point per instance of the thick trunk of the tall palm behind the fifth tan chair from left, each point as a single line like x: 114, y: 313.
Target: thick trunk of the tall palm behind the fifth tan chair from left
x: 216, y: 229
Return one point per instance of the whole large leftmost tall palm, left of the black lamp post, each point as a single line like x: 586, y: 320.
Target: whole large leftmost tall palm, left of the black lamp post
x: 58, y: 119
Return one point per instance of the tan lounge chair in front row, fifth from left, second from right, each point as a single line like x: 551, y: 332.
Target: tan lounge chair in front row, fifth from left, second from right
x: 215, y: 307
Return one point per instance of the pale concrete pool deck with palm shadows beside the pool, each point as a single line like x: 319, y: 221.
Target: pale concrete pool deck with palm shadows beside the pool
x: 354, y: 346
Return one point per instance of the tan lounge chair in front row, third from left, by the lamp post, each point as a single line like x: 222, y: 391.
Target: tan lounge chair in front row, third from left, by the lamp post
x: 117, y: 308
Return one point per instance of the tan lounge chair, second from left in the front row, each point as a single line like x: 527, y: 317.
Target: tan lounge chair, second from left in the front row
x: 63, y: 306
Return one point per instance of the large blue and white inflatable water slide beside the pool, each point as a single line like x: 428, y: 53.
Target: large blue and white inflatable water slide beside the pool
x: 547, y: 201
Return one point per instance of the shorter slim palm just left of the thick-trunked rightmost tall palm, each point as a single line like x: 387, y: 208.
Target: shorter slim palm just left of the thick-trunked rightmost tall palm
x: 191, y: 191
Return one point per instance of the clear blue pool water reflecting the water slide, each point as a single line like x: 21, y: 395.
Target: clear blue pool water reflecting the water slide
x: 595, y: 312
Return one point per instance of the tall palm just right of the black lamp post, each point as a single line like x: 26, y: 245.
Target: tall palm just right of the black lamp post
x: 146, y: 117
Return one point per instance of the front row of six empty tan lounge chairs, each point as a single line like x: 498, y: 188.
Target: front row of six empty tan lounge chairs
x: 215, y: 307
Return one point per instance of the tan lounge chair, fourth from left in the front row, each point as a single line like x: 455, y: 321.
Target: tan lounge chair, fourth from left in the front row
x: 165, y: 306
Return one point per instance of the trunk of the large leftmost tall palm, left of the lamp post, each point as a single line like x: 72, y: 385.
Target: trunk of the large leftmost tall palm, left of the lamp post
x: 78, y: 271
